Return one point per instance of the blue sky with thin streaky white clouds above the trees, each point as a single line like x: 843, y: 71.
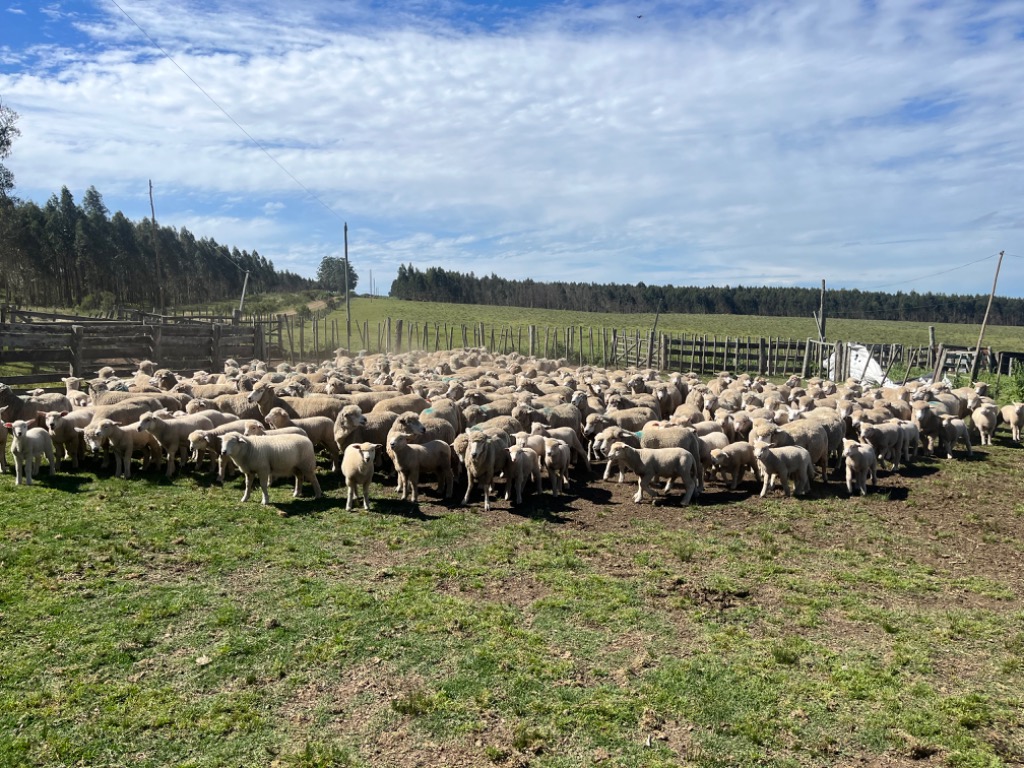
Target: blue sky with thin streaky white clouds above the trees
x: 875, y: 145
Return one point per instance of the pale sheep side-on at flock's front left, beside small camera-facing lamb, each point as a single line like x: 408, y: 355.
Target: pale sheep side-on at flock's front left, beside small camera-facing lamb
x: 273, y: 456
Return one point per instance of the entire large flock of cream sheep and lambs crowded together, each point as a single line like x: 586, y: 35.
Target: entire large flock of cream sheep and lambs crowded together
x: 473, y: 418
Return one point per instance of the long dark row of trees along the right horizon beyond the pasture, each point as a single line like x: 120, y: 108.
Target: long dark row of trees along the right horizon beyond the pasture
x: 436, y: 284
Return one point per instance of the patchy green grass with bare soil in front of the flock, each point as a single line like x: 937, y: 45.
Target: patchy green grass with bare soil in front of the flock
x: 155, y: 623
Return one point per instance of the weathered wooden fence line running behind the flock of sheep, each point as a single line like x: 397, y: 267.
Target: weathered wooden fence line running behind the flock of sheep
x: 48, y: 347
